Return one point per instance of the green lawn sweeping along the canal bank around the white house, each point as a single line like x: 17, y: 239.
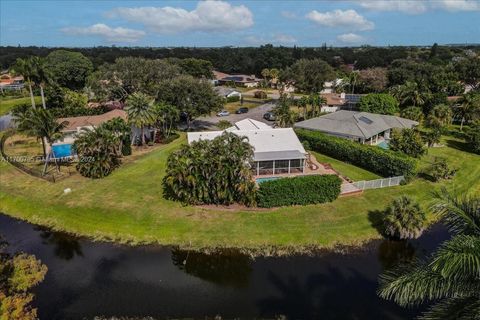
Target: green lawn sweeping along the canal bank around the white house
x: 128, y: 207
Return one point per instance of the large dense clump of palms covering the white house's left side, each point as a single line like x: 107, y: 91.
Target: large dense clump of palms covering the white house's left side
x: 211, y: 172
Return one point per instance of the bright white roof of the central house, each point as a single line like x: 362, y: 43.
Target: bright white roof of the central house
x: 268, y: 143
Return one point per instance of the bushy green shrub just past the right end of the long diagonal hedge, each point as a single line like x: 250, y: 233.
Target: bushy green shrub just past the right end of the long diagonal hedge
x: 409, y: 142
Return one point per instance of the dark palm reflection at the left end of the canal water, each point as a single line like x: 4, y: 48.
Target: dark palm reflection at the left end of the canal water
x: 65, y: 246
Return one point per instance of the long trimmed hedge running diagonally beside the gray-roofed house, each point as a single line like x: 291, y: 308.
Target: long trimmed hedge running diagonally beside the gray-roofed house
x: 386, y: 163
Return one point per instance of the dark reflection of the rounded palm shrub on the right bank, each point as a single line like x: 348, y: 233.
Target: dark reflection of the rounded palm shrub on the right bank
x: 394, y: 252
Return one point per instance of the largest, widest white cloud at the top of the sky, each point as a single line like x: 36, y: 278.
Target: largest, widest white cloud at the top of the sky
x: 208, y: 16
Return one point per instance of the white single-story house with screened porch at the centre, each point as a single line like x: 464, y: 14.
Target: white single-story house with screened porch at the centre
x: 276, y: 151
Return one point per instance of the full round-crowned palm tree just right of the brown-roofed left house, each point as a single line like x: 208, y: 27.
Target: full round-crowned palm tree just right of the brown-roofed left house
x: 139, y: 112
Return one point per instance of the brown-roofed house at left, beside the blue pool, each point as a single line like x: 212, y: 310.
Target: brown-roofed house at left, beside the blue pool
x: 76, y: 124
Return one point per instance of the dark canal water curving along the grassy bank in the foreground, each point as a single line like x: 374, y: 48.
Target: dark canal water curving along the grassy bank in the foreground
x: 87, y: 279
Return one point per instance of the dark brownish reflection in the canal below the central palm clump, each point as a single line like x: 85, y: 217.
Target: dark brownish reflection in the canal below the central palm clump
x: 225, y: 267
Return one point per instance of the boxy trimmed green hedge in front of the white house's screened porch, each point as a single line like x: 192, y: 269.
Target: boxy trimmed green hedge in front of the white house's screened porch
x: 298, y: 191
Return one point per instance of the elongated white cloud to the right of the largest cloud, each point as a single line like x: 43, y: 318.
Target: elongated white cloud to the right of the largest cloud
x: 341, y: 18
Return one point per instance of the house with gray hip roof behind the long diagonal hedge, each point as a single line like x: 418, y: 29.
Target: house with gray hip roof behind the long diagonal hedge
x: 359, y: 126
